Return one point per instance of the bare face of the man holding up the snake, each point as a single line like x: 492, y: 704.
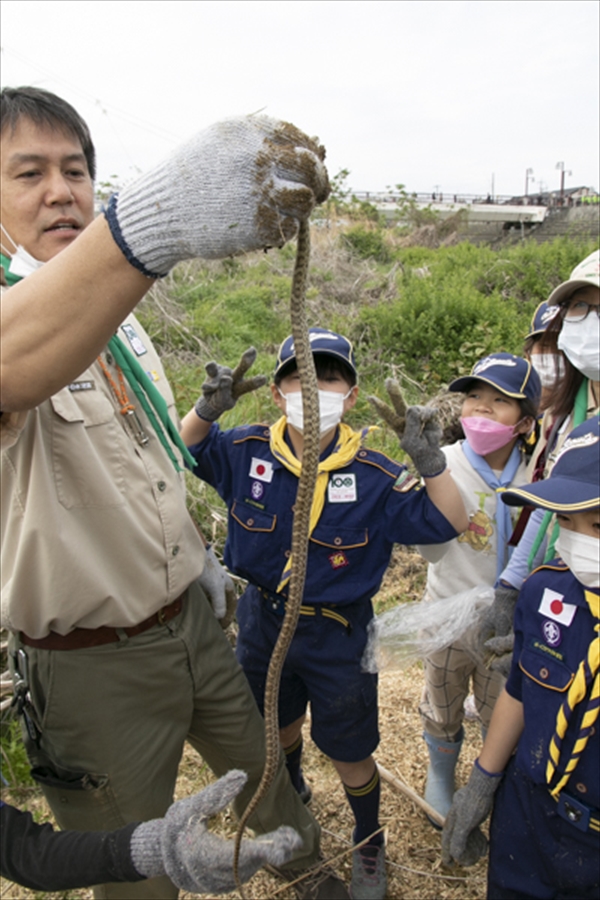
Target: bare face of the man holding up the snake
x: 47, y: 194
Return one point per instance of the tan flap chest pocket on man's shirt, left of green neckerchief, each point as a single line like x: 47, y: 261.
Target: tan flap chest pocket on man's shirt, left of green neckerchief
x: 89, y: 448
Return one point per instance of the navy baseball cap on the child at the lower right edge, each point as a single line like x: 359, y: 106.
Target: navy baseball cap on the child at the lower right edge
x: 574, y: 482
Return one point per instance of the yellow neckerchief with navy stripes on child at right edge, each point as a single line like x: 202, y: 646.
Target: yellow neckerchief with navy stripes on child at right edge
x: 588, y: 672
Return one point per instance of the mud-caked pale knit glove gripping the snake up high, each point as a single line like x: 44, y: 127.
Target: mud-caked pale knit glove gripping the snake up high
x: 240, y: 185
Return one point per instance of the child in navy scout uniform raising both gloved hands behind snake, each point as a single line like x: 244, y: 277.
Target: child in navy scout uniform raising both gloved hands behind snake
x: 364, y: 502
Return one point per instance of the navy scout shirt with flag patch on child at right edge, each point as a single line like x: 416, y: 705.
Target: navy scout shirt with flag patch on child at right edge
x: 553, y: 631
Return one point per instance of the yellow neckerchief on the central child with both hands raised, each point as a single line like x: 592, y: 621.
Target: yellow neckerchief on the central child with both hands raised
x: 348, y: 444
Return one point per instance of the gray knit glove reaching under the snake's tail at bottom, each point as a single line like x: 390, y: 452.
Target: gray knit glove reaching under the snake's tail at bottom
x: 180, y: 845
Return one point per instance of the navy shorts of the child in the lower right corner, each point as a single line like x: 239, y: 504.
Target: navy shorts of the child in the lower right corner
x: 534, y: 853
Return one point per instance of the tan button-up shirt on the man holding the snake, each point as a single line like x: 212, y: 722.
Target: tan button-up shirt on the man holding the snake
x: 95, y: 529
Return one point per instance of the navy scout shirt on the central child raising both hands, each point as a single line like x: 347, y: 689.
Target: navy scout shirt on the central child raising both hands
x: 370, y: 504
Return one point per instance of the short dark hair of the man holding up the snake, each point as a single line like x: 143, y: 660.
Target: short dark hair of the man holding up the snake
x: 46, y: 110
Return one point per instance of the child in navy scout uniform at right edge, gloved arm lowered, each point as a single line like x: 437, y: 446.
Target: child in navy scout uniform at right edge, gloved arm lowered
x: 546, y: 818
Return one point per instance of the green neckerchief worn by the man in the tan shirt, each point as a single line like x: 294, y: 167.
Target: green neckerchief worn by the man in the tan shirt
x: 150, y: 398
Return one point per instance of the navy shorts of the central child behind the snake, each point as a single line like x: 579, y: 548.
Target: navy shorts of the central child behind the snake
x: 322, y: 668
